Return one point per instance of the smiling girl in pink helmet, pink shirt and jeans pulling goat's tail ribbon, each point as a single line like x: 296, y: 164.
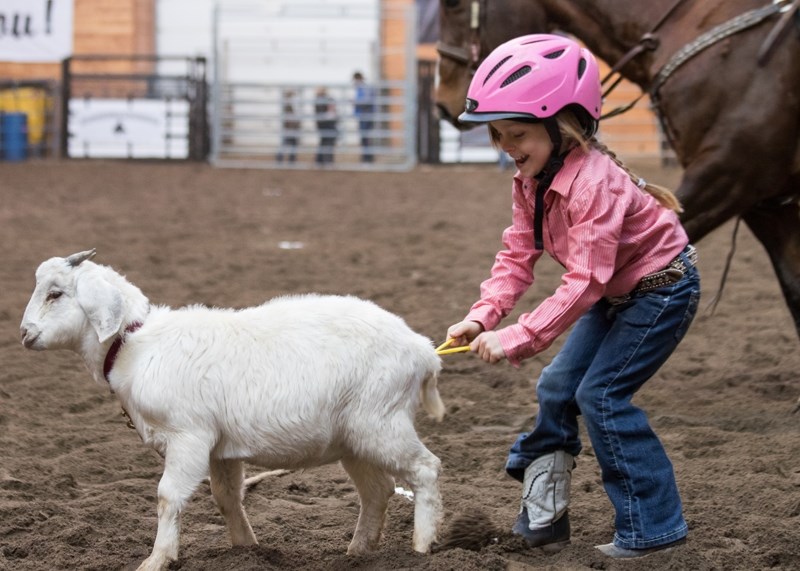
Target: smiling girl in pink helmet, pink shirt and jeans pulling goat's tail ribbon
x: 630, y: 288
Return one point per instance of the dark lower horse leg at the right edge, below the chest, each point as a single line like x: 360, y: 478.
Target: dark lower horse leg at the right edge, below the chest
x: 777, y: 227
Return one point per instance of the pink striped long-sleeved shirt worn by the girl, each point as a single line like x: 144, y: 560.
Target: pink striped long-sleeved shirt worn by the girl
x: 604, y: 230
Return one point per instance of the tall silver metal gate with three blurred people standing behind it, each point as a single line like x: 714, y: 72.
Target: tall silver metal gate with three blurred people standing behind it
x: 283, y: 95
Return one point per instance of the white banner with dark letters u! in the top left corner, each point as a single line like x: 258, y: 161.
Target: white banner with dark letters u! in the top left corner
x: 35, y: 30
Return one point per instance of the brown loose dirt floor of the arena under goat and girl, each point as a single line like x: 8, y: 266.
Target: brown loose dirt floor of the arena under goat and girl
x: 78, y: 489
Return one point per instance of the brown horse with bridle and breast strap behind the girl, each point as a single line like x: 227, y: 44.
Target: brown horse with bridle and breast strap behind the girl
x: 731, y: 109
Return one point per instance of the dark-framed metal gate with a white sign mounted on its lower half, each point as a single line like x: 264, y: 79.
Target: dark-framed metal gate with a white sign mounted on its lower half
x: 128, y: 107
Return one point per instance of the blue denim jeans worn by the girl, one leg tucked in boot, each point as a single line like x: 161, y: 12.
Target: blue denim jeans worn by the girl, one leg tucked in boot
x: 610, y: 353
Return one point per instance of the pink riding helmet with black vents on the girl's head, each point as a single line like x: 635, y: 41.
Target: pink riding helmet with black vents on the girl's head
x: 535, y: 77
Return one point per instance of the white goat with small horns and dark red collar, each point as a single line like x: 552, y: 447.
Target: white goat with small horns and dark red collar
x: 294, y: 383
